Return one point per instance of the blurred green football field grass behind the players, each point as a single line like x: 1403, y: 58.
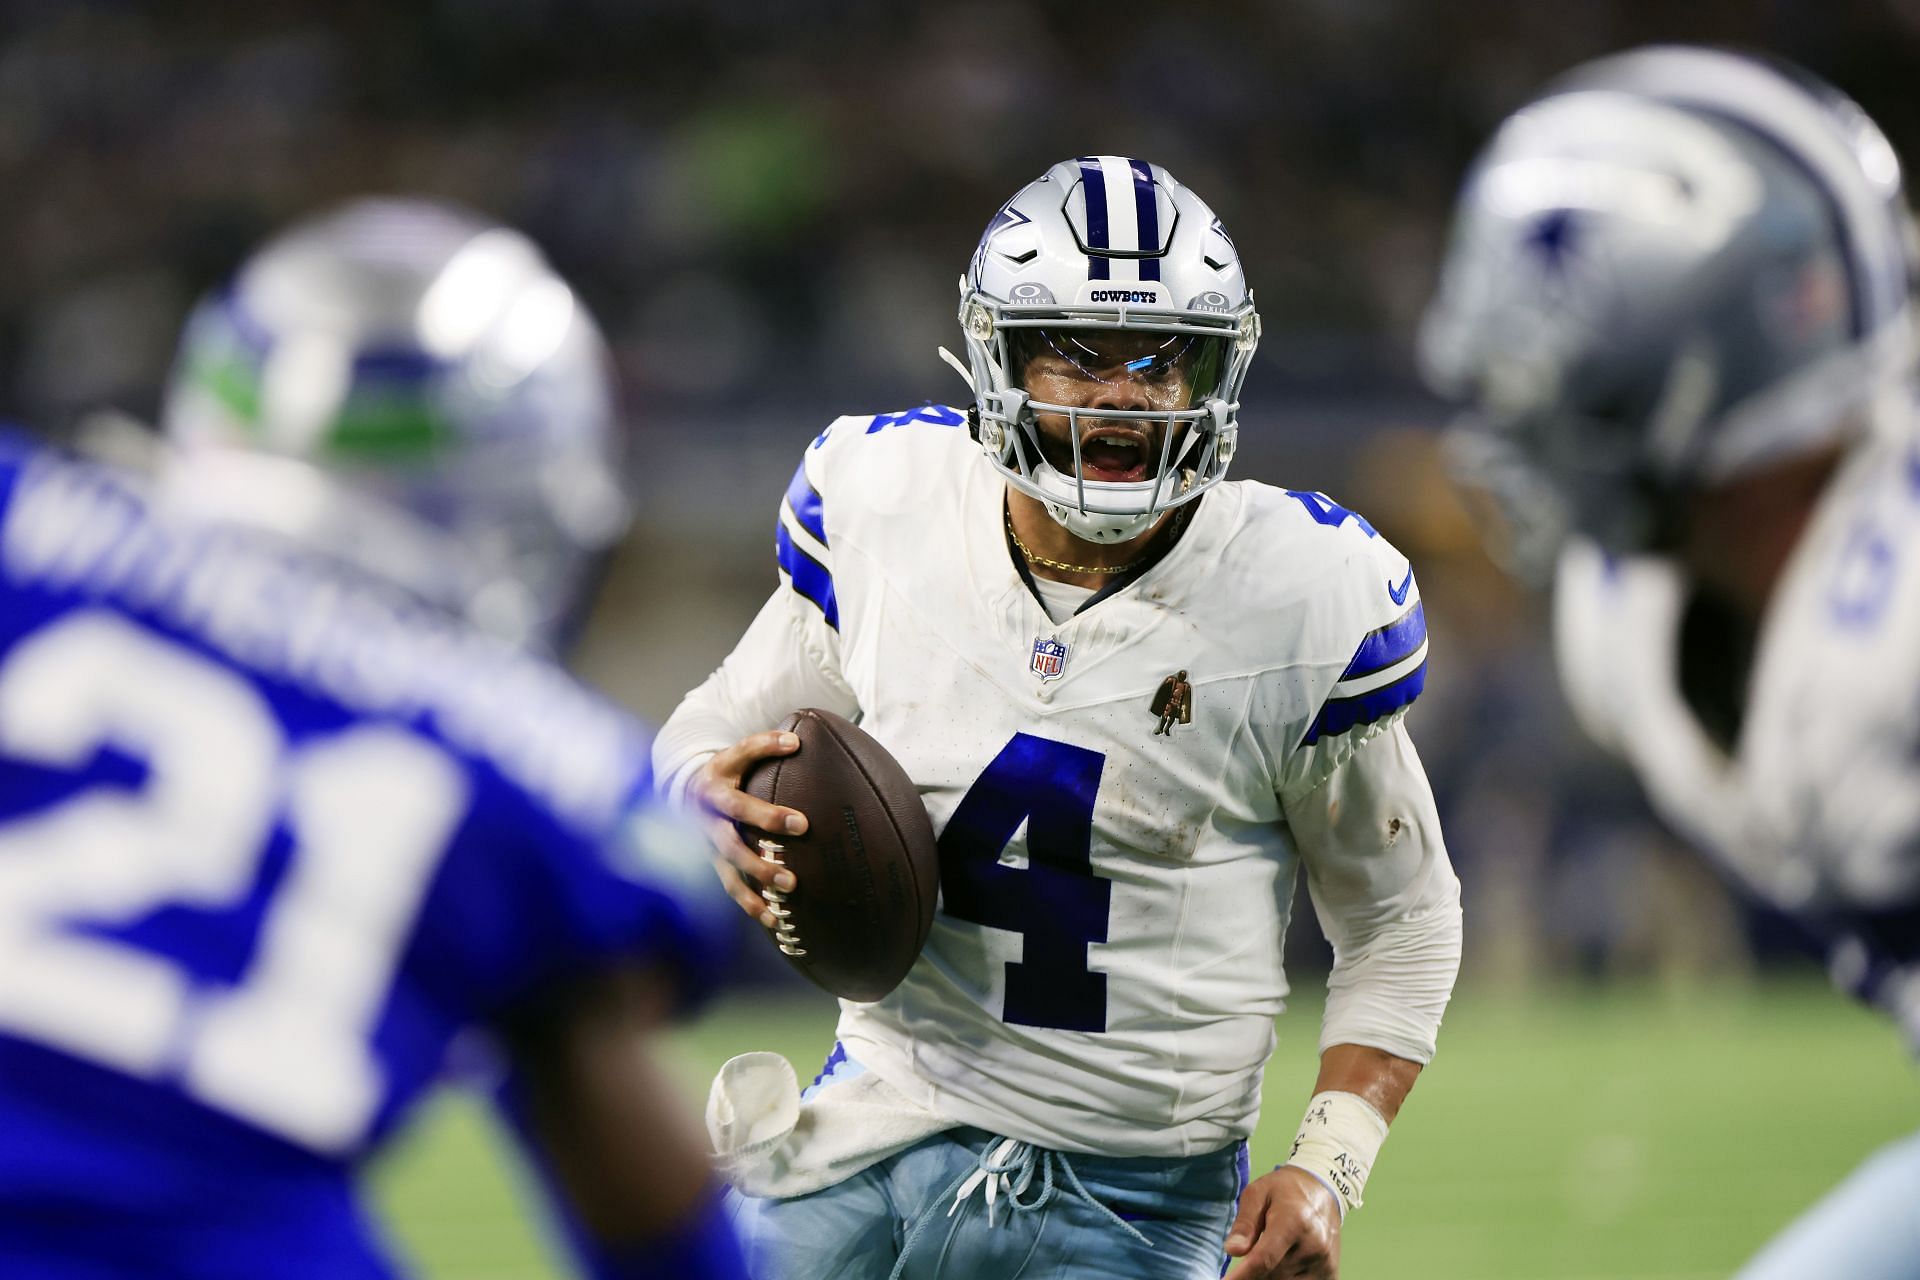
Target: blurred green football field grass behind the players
x: 1585, y: 1135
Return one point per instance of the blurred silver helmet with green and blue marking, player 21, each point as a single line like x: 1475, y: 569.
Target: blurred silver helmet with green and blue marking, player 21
x: 410, y: 389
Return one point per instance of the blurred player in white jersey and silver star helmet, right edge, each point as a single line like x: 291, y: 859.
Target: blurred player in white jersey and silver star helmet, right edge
x: 1677, y: 308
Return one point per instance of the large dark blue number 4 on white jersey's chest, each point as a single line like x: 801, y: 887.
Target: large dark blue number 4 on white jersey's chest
x: 1055, y: 903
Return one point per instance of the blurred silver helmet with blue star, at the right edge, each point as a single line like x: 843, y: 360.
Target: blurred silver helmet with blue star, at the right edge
x: 1671, y: 270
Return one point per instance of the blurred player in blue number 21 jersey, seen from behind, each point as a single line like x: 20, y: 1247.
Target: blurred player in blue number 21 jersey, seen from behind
x: 285, y: 813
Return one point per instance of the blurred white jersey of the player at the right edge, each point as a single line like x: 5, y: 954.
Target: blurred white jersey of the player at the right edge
x: 1817, y: 805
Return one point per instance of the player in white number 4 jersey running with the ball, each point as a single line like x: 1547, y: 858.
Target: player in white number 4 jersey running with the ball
x: 1067, y: 1081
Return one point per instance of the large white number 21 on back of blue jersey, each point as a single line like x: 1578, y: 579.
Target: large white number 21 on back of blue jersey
x: 370, y: 811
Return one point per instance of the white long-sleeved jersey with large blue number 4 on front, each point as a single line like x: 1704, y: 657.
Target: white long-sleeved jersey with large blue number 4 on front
x: 1105, y: 966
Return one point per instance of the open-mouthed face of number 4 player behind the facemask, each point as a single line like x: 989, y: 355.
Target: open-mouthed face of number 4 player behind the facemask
x: 1113, y: 369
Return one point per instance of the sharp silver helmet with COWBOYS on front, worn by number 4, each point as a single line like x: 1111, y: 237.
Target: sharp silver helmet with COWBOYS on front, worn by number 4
x: 1107, y: 243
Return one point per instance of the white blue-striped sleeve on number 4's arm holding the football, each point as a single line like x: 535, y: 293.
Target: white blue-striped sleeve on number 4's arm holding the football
x: 790, y: 655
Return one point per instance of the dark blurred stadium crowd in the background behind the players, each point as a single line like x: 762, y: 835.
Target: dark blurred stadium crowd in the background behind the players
x: 767, y: 206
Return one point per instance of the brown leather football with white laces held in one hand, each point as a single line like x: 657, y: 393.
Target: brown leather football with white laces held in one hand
x: 867, y: 868
